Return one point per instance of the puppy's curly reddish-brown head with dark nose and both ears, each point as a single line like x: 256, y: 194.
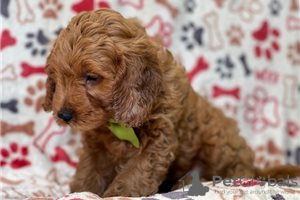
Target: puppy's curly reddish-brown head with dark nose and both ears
x: 102, y: 67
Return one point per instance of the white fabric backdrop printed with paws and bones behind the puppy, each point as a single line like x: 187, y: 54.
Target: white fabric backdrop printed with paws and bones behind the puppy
x: 242, y: 55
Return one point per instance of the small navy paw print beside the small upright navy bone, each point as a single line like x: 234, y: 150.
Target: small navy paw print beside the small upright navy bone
x: 225, y: 67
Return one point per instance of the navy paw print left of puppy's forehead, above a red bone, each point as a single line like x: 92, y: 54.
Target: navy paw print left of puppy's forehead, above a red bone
x: 37, y: 43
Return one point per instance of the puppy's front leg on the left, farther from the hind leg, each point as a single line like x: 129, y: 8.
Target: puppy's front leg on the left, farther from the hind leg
x: 91, y: 175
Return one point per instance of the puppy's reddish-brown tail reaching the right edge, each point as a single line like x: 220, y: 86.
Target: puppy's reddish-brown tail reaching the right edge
x: 279, y: 172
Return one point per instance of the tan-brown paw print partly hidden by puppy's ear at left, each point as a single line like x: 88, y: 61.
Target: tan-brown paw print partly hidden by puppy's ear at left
x: 32, y: 93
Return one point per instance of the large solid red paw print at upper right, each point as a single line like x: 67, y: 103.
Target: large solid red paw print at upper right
x: 267, y: 40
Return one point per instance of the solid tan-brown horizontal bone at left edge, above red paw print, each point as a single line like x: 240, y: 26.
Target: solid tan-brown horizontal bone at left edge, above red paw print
x: 26, y: 128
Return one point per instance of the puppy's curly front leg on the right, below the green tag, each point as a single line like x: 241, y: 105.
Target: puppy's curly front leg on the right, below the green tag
x: 142, y: 174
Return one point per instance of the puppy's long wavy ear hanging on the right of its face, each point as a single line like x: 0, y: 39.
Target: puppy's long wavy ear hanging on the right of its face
x: 138, y: 83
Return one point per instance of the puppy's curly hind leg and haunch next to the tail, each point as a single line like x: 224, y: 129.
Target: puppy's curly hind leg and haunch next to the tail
x: 223, y: 151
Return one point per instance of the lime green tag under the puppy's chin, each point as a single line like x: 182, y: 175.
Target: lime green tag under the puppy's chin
x: 124, y: 133
